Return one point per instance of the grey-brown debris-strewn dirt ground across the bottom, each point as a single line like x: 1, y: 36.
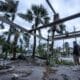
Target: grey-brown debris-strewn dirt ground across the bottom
x: 27, y: 71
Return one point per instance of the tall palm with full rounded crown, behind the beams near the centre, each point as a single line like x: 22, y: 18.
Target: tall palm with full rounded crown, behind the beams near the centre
x: 36, y: 15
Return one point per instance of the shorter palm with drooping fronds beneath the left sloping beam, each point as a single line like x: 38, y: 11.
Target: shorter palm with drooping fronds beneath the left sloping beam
x: 17, y: 37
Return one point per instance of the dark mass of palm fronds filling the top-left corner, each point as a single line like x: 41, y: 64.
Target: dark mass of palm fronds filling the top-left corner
x: 9, y: 6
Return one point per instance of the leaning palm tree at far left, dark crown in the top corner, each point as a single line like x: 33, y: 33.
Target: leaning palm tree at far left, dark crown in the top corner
x: 10, y: 7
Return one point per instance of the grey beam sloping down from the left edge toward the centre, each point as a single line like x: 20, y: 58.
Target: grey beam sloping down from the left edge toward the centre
x: 17, y: 26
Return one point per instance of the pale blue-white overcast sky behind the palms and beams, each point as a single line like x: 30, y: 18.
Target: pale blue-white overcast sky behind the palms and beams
x: 63, y: 7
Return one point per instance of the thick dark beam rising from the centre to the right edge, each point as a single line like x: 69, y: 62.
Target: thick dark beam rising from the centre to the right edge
x: 57, y: 22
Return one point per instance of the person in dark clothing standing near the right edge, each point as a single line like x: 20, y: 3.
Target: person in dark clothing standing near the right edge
x: 76, y: 53
